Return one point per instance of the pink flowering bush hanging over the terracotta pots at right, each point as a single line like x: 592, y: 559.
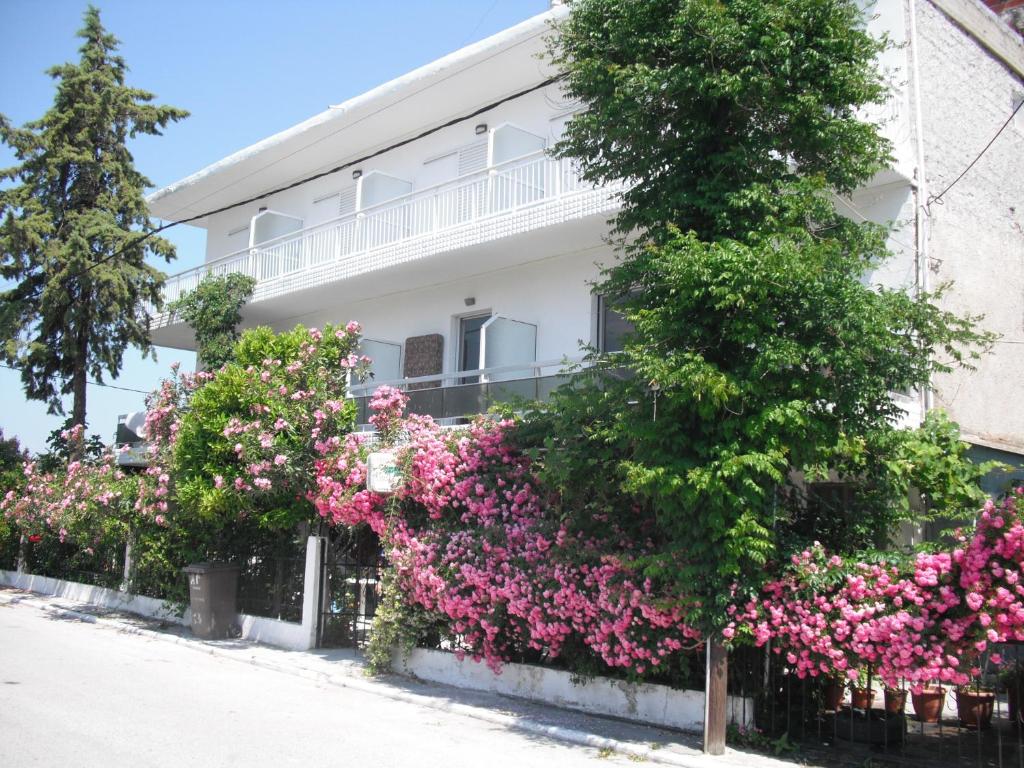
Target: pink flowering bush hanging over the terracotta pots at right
x: 926, y: 618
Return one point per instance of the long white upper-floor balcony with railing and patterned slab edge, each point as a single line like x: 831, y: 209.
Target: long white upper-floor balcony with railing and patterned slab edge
x: 524, y: 195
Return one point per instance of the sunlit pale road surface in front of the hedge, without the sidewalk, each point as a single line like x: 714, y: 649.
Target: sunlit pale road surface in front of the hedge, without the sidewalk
x: 84, y: 695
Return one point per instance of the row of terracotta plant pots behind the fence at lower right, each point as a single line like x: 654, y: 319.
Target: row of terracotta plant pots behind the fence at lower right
x: 974, y: 708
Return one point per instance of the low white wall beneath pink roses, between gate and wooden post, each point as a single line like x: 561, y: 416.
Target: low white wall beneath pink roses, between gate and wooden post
x: 654, y: 705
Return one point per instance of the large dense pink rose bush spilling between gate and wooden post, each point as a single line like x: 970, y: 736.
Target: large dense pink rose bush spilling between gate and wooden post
x: 474, y: 543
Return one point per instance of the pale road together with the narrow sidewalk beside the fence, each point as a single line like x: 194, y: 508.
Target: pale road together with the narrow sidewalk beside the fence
x: 71, y: 655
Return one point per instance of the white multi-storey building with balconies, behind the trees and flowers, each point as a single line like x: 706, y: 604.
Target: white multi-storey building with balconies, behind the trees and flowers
x: 467, y: 253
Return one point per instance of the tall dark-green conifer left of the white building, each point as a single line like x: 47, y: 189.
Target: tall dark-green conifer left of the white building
x: 75, y: 231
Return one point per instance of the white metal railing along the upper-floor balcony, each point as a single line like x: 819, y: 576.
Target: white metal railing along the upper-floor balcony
x: 528, y: 181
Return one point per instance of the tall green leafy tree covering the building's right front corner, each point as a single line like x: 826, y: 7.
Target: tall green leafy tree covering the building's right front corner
x: 758, y: 348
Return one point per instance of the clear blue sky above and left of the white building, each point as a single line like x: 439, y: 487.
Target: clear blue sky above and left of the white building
x: 244, y: 70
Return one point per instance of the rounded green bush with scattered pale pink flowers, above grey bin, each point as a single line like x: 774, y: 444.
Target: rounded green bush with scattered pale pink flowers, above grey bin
x: 246, y: 446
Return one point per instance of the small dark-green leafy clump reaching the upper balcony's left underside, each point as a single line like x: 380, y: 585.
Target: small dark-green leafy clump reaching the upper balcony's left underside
x: 215, y: 312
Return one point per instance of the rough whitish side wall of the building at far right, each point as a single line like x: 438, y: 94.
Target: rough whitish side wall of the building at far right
x: 975, y: 235
